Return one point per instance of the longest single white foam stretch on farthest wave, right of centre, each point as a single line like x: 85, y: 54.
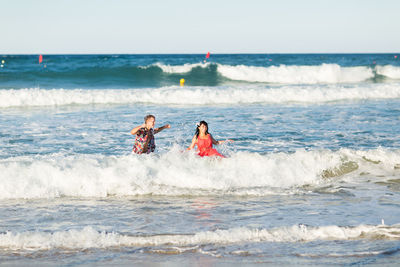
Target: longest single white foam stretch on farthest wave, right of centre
x: 325, y: 73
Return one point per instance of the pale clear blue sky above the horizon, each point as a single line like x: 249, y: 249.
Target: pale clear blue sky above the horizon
x: 218, y: 26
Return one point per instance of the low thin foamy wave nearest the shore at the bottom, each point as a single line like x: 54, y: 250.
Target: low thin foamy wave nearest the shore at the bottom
x: 90, y: 238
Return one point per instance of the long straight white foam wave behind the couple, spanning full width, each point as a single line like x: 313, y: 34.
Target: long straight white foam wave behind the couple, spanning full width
x: 197, y: 95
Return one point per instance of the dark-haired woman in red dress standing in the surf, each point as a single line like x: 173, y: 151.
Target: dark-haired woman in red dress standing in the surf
x: 204, y: 141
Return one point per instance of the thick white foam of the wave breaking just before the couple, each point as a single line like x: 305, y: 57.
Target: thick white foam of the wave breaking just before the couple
x: 173, y: 173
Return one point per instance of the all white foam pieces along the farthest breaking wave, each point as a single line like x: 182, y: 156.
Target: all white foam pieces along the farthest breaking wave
x: 292, y: 74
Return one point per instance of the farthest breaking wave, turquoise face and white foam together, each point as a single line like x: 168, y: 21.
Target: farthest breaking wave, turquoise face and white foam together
x: 195, y: 74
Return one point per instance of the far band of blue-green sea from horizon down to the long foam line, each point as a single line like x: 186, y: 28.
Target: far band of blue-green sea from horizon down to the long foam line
x: 133, y: 71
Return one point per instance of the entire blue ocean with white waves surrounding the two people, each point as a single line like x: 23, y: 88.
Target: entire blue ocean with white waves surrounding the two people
x: 312, y: 177
